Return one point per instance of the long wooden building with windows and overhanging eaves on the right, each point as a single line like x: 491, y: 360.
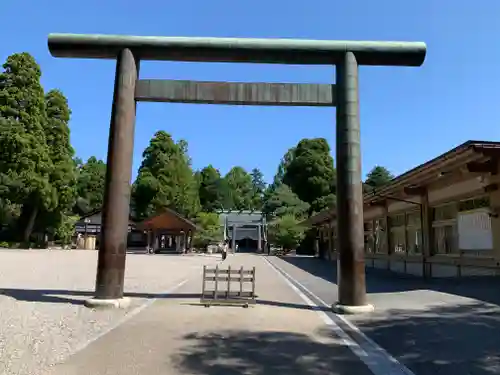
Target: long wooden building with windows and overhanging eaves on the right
x: 440, y: 219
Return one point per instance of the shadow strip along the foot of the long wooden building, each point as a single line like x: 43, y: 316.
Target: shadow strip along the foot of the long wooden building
x: 383, y: 281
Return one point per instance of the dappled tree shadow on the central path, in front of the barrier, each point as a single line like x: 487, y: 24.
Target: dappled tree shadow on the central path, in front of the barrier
x: 264, y: 353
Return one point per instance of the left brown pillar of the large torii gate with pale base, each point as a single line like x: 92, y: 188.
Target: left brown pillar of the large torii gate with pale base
x: 115, y: 215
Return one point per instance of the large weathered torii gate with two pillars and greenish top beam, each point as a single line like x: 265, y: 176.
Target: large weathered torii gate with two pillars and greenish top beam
x: 128, y: 89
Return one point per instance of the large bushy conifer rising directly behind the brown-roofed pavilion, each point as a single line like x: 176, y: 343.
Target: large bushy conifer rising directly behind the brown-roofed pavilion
x: 165, y: 179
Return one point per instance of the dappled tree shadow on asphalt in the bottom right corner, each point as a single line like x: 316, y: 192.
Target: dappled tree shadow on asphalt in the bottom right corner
x: 459, y: 340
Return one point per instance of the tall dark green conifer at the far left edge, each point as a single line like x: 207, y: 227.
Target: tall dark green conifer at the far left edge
x: 25, y: 163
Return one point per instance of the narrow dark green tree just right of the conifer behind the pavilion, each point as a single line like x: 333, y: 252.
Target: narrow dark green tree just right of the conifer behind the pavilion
x: 211, y: 194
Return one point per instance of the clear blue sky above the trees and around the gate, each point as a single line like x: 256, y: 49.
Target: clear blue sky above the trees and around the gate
x: 408, y: 115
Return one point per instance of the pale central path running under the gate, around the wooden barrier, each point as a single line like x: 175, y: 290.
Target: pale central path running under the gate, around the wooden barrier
x: 282, y: 334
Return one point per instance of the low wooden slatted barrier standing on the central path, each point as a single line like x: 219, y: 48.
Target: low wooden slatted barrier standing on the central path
x: 222, y: 280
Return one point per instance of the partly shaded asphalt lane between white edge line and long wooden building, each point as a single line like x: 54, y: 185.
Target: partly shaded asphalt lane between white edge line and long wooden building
x: 447, y: 327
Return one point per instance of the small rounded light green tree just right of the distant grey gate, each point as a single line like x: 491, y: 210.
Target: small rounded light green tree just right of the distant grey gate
x: 286, y: 232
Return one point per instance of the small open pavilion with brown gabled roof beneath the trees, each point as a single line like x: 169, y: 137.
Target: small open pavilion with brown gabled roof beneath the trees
x: 168, y: 231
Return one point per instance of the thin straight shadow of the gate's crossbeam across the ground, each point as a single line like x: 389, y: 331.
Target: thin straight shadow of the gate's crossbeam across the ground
x: 77, y: 297
